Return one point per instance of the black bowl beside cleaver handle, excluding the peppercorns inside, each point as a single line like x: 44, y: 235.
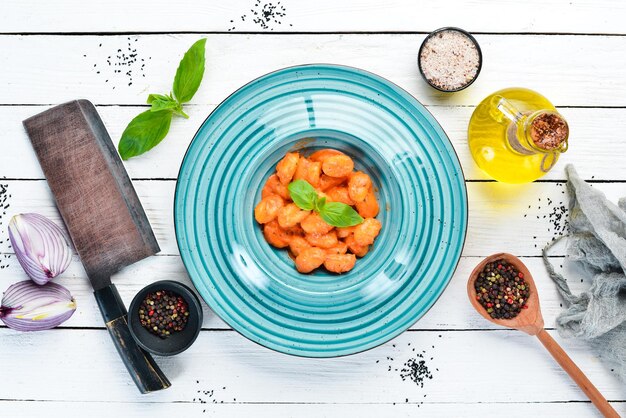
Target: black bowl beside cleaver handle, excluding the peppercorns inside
x: 177, y: 342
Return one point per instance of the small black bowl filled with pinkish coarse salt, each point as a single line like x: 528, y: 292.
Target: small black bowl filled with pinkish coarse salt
x: 450, y: 59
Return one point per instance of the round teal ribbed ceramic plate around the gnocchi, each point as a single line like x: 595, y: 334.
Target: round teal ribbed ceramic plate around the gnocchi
x: 254, y: 287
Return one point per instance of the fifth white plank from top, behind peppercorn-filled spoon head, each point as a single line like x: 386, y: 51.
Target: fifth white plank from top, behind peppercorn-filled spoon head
x: 451, y: 312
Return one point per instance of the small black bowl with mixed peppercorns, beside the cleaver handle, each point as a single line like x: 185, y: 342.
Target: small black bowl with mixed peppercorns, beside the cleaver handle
x: 165, y: 318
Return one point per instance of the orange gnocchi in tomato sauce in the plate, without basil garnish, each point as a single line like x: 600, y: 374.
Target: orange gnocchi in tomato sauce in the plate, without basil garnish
x: 311, y: 242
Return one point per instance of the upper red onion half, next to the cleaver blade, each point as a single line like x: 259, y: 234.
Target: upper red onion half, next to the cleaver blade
x: 40, y: 246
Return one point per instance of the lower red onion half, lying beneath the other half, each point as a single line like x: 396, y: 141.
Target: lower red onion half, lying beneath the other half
x: 30, y: 307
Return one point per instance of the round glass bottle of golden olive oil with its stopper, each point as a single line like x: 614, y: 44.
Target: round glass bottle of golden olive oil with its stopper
x: 516, y: 135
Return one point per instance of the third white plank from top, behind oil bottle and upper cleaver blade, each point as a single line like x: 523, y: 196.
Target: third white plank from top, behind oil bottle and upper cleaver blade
x: 588, y: 125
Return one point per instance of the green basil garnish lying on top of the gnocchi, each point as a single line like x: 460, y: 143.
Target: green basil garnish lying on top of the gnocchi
x: 333, y: 213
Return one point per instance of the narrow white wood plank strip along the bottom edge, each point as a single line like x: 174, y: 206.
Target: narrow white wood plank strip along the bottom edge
x: 240, y: 410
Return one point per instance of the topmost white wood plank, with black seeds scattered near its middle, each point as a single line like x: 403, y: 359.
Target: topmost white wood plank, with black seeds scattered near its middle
x: 603, y: 16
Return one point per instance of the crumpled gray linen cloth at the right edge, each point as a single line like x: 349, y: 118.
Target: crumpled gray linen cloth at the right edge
x: 596, y: 240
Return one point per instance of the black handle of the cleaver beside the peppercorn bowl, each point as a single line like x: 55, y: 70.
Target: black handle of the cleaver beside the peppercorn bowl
x: 141, y: 366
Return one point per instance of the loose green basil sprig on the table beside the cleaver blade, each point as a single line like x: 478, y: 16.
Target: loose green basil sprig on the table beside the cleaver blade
x: 149, y: 128
